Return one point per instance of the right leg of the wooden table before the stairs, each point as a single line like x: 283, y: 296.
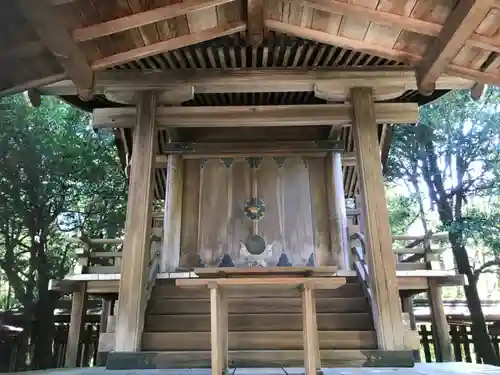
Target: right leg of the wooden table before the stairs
x: 312, y: 360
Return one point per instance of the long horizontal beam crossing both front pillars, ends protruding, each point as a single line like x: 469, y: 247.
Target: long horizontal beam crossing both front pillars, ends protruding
x: 255, y: 116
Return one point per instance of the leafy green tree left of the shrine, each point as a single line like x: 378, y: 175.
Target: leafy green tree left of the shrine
x: 56, y: 175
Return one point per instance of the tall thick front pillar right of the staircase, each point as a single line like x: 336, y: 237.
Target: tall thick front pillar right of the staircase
x: 379, y: 257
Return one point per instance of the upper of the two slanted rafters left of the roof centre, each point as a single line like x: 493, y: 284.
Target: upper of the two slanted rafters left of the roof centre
x: 143, y: 18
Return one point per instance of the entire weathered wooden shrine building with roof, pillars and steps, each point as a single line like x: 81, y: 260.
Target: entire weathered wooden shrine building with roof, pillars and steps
x: 261, y: 128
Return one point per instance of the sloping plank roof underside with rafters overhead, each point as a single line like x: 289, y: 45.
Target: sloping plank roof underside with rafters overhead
x: 48, y: 38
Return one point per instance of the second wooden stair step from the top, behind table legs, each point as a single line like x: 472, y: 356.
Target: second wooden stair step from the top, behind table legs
x: 257, y: 305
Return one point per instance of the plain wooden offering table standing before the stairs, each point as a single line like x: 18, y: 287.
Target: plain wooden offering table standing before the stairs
x: 219, y: 287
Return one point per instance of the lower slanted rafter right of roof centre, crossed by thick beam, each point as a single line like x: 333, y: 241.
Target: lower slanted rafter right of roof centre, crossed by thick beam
x: 388, y: 53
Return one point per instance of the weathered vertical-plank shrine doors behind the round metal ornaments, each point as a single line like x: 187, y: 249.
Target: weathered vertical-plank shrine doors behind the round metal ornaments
x: 294, y: 227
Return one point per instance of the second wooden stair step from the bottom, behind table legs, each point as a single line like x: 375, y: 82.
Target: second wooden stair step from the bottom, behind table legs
x: 264, y: 340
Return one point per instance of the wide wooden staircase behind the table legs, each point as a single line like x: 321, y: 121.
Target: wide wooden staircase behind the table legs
x: 265, y: 326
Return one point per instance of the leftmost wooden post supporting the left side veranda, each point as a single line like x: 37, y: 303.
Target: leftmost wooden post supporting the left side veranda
x: 76, y: 323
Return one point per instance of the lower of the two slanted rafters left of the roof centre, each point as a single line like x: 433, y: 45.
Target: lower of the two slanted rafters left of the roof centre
x: 168, y: 45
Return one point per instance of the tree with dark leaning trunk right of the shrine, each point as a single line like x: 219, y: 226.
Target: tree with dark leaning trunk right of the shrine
x: 453, y: 152
